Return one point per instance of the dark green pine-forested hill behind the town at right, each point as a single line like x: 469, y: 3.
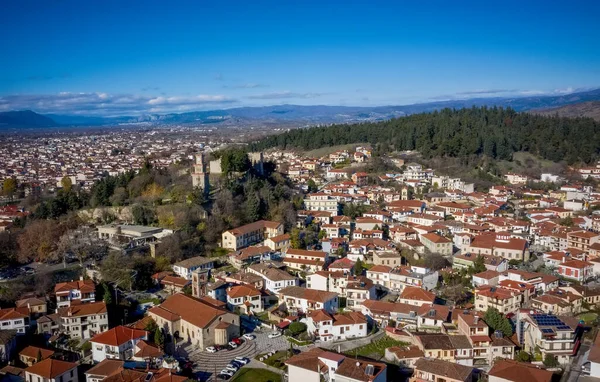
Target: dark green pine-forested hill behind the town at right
x: 494, y: 132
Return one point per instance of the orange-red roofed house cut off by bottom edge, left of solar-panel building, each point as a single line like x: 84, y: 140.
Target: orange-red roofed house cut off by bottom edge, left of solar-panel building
x: 505, y: 370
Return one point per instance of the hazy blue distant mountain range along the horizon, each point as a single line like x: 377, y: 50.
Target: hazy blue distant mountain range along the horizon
x: 304, y: 115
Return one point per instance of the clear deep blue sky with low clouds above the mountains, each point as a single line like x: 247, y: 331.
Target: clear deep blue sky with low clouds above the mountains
x: 132, y: 57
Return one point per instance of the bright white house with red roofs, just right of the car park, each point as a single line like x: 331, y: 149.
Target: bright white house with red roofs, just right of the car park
x: 336, y: 327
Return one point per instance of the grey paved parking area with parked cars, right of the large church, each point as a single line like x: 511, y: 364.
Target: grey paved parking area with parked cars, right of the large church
x: 207, y: 364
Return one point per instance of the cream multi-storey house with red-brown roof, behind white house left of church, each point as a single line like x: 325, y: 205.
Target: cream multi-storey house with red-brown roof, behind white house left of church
x: 84, y: 320
